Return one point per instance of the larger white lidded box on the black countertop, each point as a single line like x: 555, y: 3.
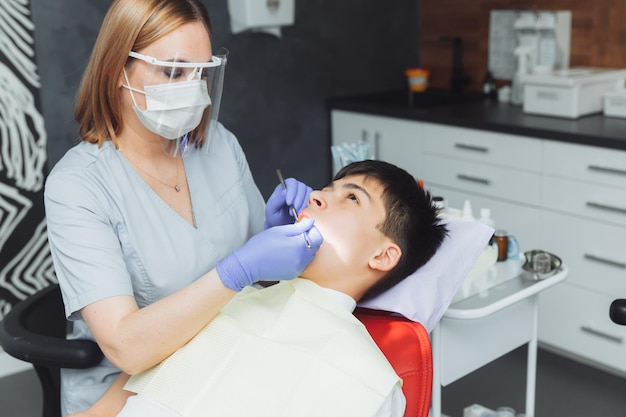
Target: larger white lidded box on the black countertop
x: 570, y: 93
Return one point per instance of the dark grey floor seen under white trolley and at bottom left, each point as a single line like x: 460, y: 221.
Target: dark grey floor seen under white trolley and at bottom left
x: 564, y: 389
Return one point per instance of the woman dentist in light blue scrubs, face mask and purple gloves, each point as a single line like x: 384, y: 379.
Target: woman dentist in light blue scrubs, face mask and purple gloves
x: 154, y: 220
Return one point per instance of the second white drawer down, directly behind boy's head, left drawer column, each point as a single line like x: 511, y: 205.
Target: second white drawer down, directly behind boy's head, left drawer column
x: 478, y: 178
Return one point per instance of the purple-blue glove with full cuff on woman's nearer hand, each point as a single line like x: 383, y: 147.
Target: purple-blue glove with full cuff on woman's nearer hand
x: 278, y: 253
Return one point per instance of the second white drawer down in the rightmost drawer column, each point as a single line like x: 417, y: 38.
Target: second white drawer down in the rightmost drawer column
x: 594, y: 201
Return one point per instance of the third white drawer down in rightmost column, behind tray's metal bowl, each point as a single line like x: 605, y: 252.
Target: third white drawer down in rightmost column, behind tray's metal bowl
x: 594, y: 252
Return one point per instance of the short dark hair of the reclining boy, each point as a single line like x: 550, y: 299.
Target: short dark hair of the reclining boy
x: 411, y: 219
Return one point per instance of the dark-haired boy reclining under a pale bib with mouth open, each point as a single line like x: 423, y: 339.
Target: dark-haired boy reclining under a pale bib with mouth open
x: 294, y: 348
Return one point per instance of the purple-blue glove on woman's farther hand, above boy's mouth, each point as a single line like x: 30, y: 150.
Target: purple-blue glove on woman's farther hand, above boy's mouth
x: 277, y: 207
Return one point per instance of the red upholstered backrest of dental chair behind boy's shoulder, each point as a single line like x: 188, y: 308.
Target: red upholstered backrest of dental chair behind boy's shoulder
x: 406, y: 345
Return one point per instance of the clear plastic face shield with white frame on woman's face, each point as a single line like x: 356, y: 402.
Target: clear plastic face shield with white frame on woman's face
x: 179, y: 101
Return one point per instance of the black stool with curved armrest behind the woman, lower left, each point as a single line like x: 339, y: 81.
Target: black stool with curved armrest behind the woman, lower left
x: 34, y: 331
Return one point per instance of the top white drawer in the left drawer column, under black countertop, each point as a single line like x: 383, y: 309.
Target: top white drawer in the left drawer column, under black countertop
x: 485, y: 147
